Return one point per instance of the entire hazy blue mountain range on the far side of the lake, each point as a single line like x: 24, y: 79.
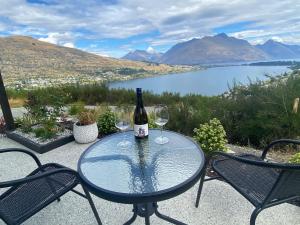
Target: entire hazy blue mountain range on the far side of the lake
x: 216, y: 50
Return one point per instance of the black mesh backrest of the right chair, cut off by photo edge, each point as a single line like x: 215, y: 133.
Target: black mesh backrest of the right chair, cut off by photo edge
x: 287, y: 186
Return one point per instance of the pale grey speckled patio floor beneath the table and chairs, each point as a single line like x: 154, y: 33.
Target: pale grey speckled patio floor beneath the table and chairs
x: 220, y: 204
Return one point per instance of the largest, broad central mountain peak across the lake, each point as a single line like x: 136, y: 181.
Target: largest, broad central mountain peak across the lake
x: 211, y: 50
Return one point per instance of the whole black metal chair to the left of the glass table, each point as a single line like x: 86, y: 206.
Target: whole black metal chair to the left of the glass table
x: 26, y: 196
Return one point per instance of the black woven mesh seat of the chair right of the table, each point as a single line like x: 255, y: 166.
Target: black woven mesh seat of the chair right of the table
x: 253, y: 182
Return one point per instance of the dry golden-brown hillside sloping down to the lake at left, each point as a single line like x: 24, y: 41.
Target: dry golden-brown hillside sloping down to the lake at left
x: 25, y: 59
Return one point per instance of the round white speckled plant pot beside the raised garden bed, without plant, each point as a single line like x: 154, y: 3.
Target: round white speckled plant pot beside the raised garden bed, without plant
x: 85, y: 134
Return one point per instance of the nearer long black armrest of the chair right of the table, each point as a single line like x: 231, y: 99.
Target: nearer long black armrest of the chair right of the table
x: 258, y: 163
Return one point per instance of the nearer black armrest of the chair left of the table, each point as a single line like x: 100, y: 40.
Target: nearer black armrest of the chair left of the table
x: 31, y: 178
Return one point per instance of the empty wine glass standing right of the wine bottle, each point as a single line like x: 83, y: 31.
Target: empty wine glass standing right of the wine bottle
x: 161, y: 118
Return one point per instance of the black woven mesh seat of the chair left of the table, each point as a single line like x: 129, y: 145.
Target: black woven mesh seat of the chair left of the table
x: 19, y: 203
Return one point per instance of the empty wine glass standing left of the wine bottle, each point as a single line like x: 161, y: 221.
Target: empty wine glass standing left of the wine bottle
x: 122, y: 122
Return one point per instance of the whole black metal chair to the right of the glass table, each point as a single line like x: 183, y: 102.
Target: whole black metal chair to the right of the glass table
x: 263, y: 183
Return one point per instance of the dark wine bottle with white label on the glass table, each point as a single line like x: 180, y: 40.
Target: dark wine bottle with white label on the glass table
x: 140, y: 117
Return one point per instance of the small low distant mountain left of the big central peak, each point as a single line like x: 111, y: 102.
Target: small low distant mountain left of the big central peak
x: 144, y: 56
